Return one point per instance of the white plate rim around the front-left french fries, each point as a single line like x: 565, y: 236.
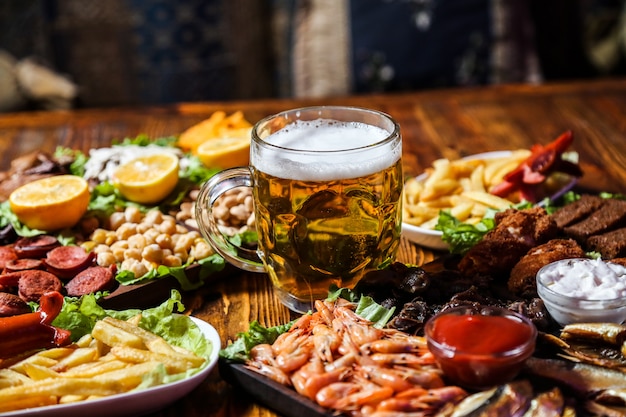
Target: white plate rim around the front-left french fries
x: 133, y: 403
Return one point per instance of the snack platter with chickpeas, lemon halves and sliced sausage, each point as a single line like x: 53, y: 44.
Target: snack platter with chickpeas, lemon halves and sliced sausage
x: 132, y: 227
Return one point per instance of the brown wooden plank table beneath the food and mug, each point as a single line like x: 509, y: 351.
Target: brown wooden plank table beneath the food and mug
x: 434, y: 124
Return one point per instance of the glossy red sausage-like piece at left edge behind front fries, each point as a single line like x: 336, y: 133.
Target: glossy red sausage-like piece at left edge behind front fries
x: 30, y: 331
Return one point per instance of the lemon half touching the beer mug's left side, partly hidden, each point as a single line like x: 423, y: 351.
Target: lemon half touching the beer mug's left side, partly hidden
x: 225, y: 152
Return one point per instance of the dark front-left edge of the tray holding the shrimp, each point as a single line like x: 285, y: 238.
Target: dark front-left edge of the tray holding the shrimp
x: 277, y: 397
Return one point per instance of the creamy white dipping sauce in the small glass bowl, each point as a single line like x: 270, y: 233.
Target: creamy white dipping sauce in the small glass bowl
x: 589, y: 279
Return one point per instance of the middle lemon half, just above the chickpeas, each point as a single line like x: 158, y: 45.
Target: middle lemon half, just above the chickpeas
x: 147, y: 179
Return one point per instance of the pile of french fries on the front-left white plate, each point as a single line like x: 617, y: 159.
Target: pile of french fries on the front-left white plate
x: 111, y: 360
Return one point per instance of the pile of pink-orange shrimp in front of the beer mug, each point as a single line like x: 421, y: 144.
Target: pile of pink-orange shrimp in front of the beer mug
x: 341, y: 361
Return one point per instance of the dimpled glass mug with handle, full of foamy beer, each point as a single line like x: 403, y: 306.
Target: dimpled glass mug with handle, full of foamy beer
x: 327, y: 187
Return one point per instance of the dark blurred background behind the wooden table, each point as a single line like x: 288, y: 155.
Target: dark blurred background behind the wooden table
x: 99, y: 53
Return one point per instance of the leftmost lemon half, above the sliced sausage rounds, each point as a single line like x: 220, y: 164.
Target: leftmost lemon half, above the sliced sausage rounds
x: 51, y: 203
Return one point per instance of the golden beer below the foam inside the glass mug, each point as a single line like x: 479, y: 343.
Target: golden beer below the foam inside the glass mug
x: 318, y: 233
